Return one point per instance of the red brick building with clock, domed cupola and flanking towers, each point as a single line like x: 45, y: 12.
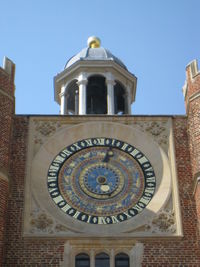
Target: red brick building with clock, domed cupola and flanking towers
x: 96, y: 186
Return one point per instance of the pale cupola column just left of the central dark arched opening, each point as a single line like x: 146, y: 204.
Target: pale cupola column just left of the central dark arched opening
x: 82, y: 82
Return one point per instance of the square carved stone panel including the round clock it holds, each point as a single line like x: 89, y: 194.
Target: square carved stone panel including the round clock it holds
x: 104, y: 151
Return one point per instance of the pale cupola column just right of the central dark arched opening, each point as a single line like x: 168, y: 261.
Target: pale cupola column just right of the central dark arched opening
x: 110, y: 95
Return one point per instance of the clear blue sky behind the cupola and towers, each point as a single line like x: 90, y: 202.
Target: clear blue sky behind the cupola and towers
x: 155, y: 39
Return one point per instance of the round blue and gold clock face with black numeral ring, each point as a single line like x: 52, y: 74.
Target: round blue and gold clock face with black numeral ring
x: 101, y: 181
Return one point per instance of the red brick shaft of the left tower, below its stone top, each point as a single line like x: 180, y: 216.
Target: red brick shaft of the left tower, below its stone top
x: 6, y: 117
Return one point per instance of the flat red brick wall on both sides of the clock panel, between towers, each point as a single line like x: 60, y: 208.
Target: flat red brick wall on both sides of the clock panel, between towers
x: 25, y: 252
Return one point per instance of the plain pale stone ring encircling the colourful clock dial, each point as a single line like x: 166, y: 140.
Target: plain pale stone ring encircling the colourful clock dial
x: 133, y: 136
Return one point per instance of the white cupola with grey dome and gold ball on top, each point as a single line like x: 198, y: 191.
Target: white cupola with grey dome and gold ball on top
x: 94, y: 81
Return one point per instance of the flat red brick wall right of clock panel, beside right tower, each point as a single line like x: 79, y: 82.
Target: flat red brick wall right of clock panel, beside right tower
x: 184, y: 252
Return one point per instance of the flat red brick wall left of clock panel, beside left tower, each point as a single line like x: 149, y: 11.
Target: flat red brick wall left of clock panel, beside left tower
x: 22, y: 251
